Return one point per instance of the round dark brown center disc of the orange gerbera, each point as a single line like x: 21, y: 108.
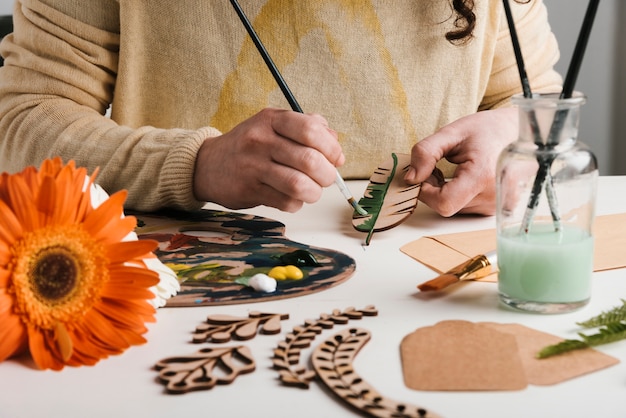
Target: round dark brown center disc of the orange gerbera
x: 54, y: 274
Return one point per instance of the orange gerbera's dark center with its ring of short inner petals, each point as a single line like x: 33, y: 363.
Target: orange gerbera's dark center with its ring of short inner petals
x: 58, y: 275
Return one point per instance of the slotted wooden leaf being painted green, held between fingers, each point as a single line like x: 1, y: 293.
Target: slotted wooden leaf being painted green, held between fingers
x: 388, y: 200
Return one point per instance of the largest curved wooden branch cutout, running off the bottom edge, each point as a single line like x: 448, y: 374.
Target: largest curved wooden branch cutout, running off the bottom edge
x: 332, y: 360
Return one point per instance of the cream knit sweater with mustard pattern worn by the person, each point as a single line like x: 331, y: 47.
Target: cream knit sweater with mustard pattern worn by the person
x: 178, y: 72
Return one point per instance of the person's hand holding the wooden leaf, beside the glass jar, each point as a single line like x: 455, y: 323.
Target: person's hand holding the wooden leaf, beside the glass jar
x: 473, y: 143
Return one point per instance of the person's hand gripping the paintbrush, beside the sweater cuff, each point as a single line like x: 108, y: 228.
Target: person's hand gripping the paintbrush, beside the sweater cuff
x: 276, y: 158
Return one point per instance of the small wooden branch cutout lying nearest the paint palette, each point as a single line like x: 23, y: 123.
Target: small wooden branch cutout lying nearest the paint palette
x: 221, y: 328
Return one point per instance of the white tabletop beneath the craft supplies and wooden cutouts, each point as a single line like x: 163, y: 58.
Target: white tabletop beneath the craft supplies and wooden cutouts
x: 126, y: 386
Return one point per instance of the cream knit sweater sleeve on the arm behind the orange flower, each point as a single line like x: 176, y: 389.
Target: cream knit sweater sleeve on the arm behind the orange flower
x: 55, y: 87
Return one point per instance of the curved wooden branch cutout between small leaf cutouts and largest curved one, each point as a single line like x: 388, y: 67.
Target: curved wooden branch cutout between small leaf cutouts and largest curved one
x: 287, y: 353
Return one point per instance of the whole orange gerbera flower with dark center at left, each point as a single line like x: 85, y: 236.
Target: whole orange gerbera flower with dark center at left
x: 71, y: 292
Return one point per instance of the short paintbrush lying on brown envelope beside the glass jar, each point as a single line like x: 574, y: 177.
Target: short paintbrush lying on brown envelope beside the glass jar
x: 475, y: 268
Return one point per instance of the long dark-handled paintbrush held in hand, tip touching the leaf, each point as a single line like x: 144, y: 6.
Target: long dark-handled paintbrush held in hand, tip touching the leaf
x: 289, y: 96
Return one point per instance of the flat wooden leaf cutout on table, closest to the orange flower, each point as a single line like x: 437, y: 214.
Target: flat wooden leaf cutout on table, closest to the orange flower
x: 205, y: 369
